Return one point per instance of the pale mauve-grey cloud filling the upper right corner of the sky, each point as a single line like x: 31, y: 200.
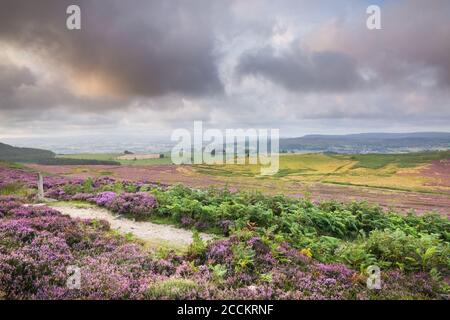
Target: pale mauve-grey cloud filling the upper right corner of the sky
x: 410, y: 51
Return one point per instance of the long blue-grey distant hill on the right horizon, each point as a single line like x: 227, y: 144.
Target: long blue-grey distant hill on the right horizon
x: 368, y: 142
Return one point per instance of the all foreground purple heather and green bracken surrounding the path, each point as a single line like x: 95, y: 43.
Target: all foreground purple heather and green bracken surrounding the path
x: 274, y: 247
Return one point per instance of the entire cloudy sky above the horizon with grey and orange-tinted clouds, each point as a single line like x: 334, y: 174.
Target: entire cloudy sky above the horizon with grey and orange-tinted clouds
x: 144, y: 68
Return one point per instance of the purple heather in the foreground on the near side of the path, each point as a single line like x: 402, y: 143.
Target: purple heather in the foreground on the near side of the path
x: 38, y: 244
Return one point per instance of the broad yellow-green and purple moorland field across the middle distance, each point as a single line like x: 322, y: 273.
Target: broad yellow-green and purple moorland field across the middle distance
x: 418, y: 181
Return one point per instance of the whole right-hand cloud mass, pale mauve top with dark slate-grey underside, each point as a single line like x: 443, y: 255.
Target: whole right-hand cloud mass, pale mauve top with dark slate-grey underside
x: 411, y: 51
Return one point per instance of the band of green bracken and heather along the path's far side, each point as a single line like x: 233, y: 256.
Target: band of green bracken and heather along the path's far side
x: 356, y: 234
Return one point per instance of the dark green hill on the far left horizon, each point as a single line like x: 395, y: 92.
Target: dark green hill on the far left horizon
x: 40, y: 156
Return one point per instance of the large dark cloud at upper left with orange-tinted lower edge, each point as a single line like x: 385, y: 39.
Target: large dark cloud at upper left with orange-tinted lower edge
x: 144, y: 48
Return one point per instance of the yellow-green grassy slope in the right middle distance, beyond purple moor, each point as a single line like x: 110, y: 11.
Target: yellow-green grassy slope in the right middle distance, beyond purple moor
x: 390, y: 171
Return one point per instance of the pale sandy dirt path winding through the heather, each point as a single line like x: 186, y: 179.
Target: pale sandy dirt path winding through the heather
x: 147, y: 231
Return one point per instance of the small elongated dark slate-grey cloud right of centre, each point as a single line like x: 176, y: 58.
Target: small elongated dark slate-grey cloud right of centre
x: 299, y: 70
